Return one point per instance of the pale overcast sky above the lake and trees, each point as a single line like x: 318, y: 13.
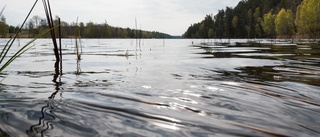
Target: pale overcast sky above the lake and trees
x: 168, y: 16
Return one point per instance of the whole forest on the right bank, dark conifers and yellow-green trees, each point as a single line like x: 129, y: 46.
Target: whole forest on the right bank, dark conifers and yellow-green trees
x: 261, y: 19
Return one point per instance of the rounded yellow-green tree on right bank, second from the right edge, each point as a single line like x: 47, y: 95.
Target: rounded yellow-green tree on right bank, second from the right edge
x: 284, y: 23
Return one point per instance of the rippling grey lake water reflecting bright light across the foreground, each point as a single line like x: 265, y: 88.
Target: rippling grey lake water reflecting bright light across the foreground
x: 163, y: 88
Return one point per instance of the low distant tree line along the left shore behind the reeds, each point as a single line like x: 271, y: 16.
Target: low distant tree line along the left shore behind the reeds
x: 36, y: 25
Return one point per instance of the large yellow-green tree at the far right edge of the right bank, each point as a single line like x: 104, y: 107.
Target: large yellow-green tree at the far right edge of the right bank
x: 308, y: 18
